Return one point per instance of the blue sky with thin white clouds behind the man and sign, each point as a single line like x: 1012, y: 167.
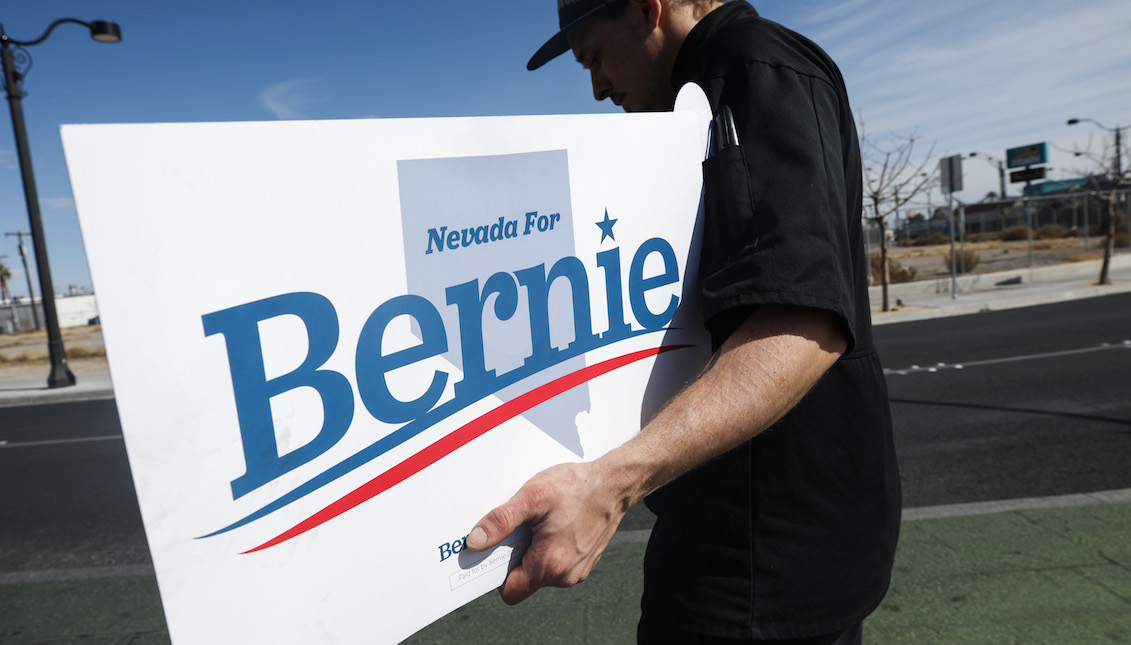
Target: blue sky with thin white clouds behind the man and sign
x: 966, y: 75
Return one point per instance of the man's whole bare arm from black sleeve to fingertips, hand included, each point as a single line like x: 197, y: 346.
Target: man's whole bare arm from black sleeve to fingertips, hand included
x: 573, y: 510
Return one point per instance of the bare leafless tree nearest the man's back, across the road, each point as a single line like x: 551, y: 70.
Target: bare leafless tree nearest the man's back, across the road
x: 892, y: 177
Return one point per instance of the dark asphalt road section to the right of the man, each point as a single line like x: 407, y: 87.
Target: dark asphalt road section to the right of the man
x: 1028, y: 402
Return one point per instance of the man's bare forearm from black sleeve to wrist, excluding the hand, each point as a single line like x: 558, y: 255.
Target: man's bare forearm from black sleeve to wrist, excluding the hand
x: 762, y: 372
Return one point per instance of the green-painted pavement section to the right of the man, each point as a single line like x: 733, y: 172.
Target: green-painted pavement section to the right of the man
x: 1058, y: 577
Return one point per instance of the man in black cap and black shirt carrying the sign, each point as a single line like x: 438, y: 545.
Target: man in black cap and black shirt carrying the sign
x: 779, y: 495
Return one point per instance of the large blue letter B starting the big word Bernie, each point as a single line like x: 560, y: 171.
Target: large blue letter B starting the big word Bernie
x: 240, y: 329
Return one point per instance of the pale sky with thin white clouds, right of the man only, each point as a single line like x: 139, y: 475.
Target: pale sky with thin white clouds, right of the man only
x: 972, y: 75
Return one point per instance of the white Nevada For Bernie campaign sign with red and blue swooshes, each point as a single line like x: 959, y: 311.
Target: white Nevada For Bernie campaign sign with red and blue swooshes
x: 335, y: 346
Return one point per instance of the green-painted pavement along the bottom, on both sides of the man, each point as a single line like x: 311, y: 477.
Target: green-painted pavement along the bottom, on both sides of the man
x: 1054, y: 575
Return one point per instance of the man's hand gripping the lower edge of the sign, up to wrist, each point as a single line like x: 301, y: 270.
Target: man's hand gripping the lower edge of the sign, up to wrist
x: 573, y: 511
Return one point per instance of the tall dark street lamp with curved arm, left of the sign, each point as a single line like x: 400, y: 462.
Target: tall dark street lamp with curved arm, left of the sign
x: 16, y: 64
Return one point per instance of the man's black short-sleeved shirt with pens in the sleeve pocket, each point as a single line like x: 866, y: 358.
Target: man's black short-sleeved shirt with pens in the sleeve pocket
x: 793, y: 534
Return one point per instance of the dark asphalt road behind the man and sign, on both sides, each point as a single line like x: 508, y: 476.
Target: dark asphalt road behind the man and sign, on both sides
x: 1025, y: 403
